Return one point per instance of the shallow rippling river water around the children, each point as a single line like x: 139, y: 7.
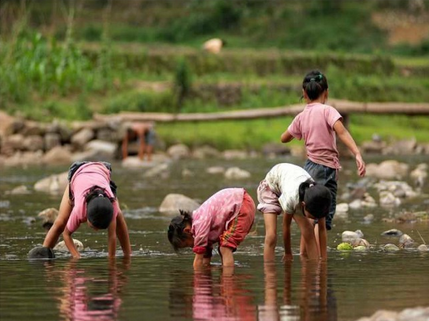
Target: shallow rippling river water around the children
x: 157, y: 284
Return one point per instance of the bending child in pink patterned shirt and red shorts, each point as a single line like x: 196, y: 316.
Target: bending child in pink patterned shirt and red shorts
x: 225, y: 218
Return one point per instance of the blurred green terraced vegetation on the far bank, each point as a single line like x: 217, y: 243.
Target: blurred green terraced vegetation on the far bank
x: 146, y: 57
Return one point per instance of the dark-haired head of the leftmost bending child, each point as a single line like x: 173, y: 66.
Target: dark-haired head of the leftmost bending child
x: 99, y: 207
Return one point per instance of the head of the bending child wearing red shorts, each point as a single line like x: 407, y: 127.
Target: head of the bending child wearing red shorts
x: 179, y: 231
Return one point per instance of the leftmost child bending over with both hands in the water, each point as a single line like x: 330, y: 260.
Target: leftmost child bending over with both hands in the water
x: 90, y: 197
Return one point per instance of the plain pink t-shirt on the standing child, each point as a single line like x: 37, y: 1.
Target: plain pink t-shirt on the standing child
x: 316, y: 125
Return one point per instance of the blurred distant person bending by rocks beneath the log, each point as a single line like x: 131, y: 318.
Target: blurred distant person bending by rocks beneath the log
x: 144, y: 133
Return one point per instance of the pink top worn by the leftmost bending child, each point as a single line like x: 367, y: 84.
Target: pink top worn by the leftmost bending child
x: 87, y: 176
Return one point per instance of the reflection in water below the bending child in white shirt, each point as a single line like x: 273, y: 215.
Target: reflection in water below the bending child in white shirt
x: 313, y: 300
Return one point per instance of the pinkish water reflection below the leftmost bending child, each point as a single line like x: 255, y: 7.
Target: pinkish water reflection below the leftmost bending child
x: 88, y: 294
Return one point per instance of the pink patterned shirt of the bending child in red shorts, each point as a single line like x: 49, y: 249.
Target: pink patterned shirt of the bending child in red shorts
x: 212, y: 218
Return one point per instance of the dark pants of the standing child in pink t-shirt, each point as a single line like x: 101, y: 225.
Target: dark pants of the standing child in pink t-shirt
x: 328, y: 177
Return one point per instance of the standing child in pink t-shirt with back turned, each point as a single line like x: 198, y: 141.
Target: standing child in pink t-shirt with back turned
x: 317, y: 124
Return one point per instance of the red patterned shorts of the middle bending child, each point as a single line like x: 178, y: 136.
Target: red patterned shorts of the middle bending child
x: 241, y: 225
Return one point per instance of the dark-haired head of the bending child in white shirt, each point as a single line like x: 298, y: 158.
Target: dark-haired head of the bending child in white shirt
x: 317, y: 198
